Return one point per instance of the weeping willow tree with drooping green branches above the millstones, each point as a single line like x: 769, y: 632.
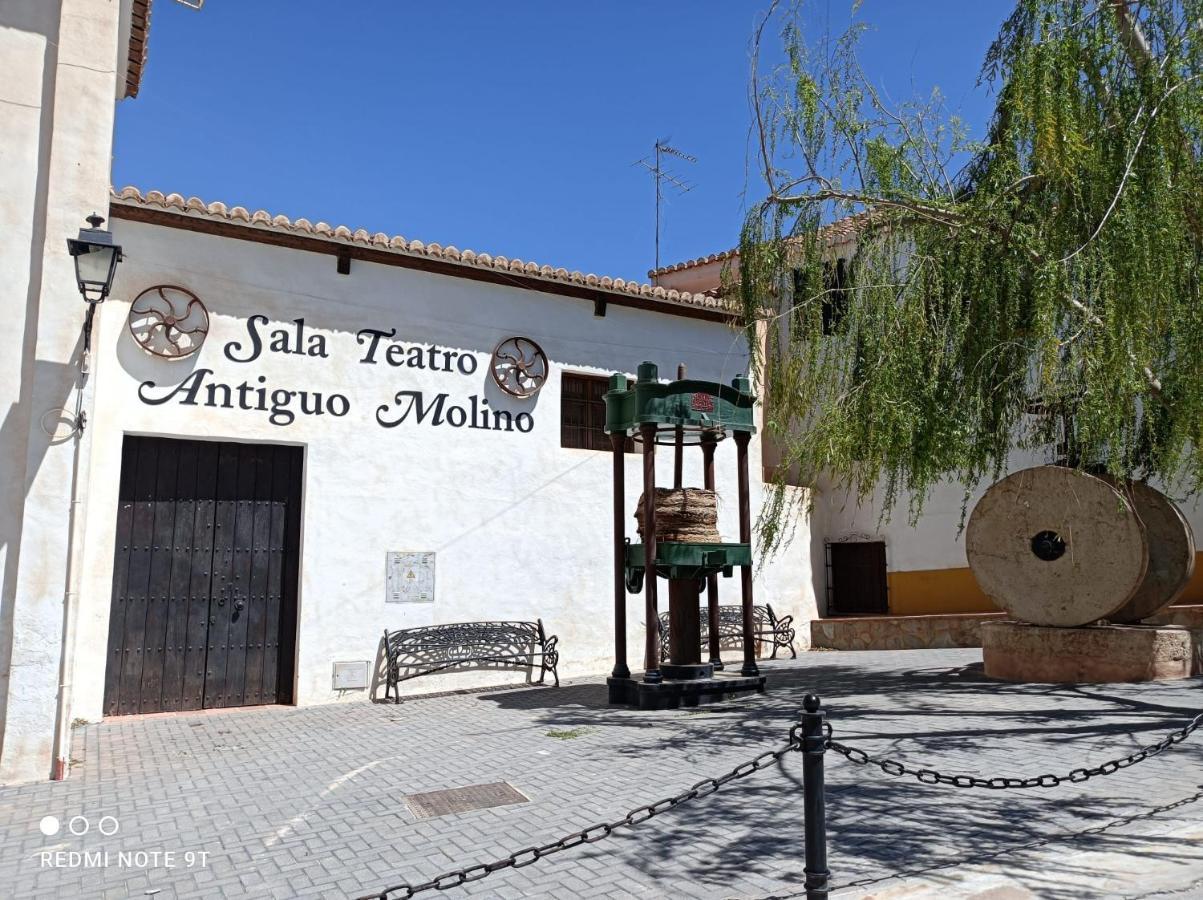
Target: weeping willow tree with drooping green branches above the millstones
x: 1036, y: 289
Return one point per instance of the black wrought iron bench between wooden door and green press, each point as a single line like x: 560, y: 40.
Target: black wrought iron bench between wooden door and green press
x: 412, y: 653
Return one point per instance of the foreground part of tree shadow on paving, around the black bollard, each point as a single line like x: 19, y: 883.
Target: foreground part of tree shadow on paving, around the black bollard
x: 885, y: 831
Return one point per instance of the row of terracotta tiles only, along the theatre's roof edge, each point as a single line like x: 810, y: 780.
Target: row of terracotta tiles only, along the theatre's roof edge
x: 341, y: 234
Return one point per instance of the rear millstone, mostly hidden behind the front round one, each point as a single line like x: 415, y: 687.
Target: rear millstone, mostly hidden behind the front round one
x: 1171, y: 554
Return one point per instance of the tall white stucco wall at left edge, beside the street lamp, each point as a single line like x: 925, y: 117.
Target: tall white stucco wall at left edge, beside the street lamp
x: 56, y: 145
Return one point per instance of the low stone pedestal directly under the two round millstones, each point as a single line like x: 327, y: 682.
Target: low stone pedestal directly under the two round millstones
x: 1016, y: 652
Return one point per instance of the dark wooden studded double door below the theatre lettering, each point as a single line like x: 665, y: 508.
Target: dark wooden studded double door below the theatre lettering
x: 205, y: 578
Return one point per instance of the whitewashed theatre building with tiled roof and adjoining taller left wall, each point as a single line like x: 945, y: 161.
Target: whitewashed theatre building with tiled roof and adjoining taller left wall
x: 214, y: 530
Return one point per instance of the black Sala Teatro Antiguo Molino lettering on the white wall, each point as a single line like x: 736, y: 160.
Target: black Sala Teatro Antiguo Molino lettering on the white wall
x: 377, y: 348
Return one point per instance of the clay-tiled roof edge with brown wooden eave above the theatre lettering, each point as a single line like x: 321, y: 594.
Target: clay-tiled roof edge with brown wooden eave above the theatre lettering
x: 132, y: 204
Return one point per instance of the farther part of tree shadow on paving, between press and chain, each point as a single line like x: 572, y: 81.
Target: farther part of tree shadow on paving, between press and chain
x: 855, y: 697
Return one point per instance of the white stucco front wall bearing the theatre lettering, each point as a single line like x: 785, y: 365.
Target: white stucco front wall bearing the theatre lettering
x: 522, y: 528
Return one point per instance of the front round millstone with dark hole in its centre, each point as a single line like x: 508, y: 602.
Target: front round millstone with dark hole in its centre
x: 1057, y: 547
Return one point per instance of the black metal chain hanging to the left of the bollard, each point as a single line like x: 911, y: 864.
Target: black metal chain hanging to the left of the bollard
x: 592, y: 834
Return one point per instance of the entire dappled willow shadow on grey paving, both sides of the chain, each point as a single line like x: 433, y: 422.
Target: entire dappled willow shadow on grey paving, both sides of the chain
x: 949, y: 718
